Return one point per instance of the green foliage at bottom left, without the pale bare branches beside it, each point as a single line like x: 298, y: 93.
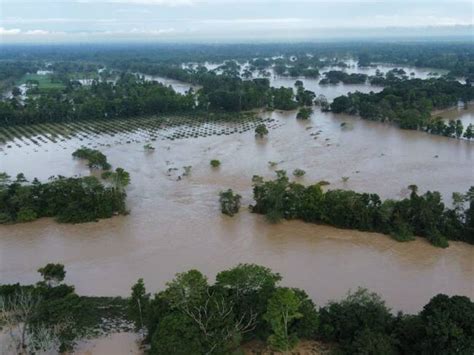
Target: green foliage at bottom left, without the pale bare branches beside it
x: 55, y: 306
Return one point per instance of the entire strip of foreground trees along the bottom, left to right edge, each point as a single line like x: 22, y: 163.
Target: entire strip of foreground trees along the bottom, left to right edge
x: 246, y: 302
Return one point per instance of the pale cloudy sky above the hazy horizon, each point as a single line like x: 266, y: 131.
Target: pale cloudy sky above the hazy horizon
x: 228, y: 20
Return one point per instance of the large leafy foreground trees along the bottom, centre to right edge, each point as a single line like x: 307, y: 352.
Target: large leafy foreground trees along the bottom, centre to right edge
x: 246, y: 302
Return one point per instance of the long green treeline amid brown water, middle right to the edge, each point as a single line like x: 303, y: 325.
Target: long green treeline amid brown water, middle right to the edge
x: 419, y: 215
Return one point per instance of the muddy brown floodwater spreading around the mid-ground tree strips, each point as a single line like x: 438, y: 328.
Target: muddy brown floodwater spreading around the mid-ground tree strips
x: 176, y: 225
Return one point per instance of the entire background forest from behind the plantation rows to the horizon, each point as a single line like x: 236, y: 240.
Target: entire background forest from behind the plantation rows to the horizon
x: 116, y: 90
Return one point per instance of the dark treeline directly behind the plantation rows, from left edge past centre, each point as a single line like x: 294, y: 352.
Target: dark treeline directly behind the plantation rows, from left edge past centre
x: 133, y: 96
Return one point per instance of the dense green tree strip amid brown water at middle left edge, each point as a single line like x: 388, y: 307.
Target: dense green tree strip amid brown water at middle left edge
x: 69, y: 200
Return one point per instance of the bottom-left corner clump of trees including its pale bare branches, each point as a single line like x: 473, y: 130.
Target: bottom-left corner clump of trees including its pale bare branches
x: 48, y: 317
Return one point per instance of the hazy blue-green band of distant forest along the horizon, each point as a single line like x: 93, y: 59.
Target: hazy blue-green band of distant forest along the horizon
x: 457, y: 57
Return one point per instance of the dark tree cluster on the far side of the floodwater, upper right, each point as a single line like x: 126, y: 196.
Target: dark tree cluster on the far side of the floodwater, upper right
x: 408, y: 103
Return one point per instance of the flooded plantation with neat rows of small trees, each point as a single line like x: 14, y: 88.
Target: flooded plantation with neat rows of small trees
x: 148, y: 128
